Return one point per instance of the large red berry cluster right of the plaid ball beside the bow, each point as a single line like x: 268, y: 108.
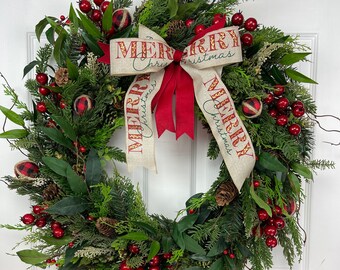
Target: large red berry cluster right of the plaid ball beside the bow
x: 280, y: 109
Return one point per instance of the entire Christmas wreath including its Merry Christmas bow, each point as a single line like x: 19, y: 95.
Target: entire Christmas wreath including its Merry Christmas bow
x: 248, y: 95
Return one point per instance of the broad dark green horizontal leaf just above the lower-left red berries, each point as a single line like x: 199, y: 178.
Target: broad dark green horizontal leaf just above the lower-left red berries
x: 69, y: 206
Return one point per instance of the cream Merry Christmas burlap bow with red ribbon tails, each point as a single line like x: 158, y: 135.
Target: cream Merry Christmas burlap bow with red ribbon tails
x: 161, y: 71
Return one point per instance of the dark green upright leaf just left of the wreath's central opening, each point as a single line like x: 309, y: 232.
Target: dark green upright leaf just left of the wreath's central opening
x: 94, y: 170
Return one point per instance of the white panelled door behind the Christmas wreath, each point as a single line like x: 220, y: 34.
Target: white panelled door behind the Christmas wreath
x: 182, y: 166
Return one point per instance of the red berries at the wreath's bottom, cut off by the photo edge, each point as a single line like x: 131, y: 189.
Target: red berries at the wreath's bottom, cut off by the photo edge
x: 156, y: 263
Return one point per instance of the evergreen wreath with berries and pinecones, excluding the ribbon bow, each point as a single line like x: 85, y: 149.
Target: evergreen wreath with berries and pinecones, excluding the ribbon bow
x: 83, y: 218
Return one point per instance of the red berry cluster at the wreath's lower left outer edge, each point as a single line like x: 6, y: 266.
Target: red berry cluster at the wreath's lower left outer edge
x: 40, y: 219
